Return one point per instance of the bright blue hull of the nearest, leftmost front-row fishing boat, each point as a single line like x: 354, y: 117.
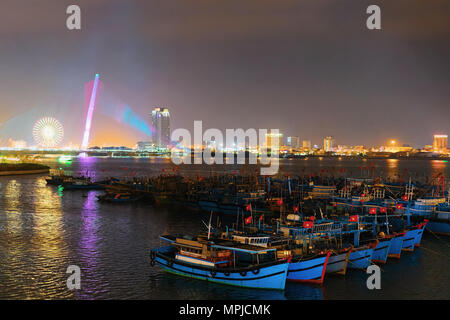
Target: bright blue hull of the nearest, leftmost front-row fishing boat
x: 268, y: 276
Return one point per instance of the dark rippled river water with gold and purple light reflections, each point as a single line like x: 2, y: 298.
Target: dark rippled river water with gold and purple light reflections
x: 43, y: 230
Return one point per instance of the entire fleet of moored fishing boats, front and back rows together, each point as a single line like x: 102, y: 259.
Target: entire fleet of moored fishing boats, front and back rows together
x: 295, y: 229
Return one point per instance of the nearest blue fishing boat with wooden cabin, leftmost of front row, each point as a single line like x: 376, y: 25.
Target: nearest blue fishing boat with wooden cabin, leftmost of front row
x: 222, y: 261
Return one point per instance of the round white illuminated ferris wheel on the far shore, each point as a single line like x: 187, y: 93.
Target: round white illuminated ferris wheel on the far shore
x: 48, y: 132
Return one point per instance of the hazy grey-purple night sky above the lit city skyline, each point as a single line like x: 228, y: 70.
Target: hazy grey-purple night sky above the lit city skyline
x: 308, y: 67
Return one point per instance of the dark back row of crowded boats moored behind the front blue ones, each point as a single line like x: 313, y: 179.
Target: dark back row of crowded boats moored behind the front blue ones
x: 231, y: 194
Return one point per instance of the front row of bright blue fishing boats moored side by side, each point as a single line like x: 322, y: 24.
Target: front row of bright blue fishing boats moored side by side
x: 293, y: 248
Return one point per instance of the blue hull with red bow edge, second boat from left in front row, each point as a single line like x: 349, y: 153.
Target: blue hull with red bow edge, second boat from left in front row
x: 308, y: 271
